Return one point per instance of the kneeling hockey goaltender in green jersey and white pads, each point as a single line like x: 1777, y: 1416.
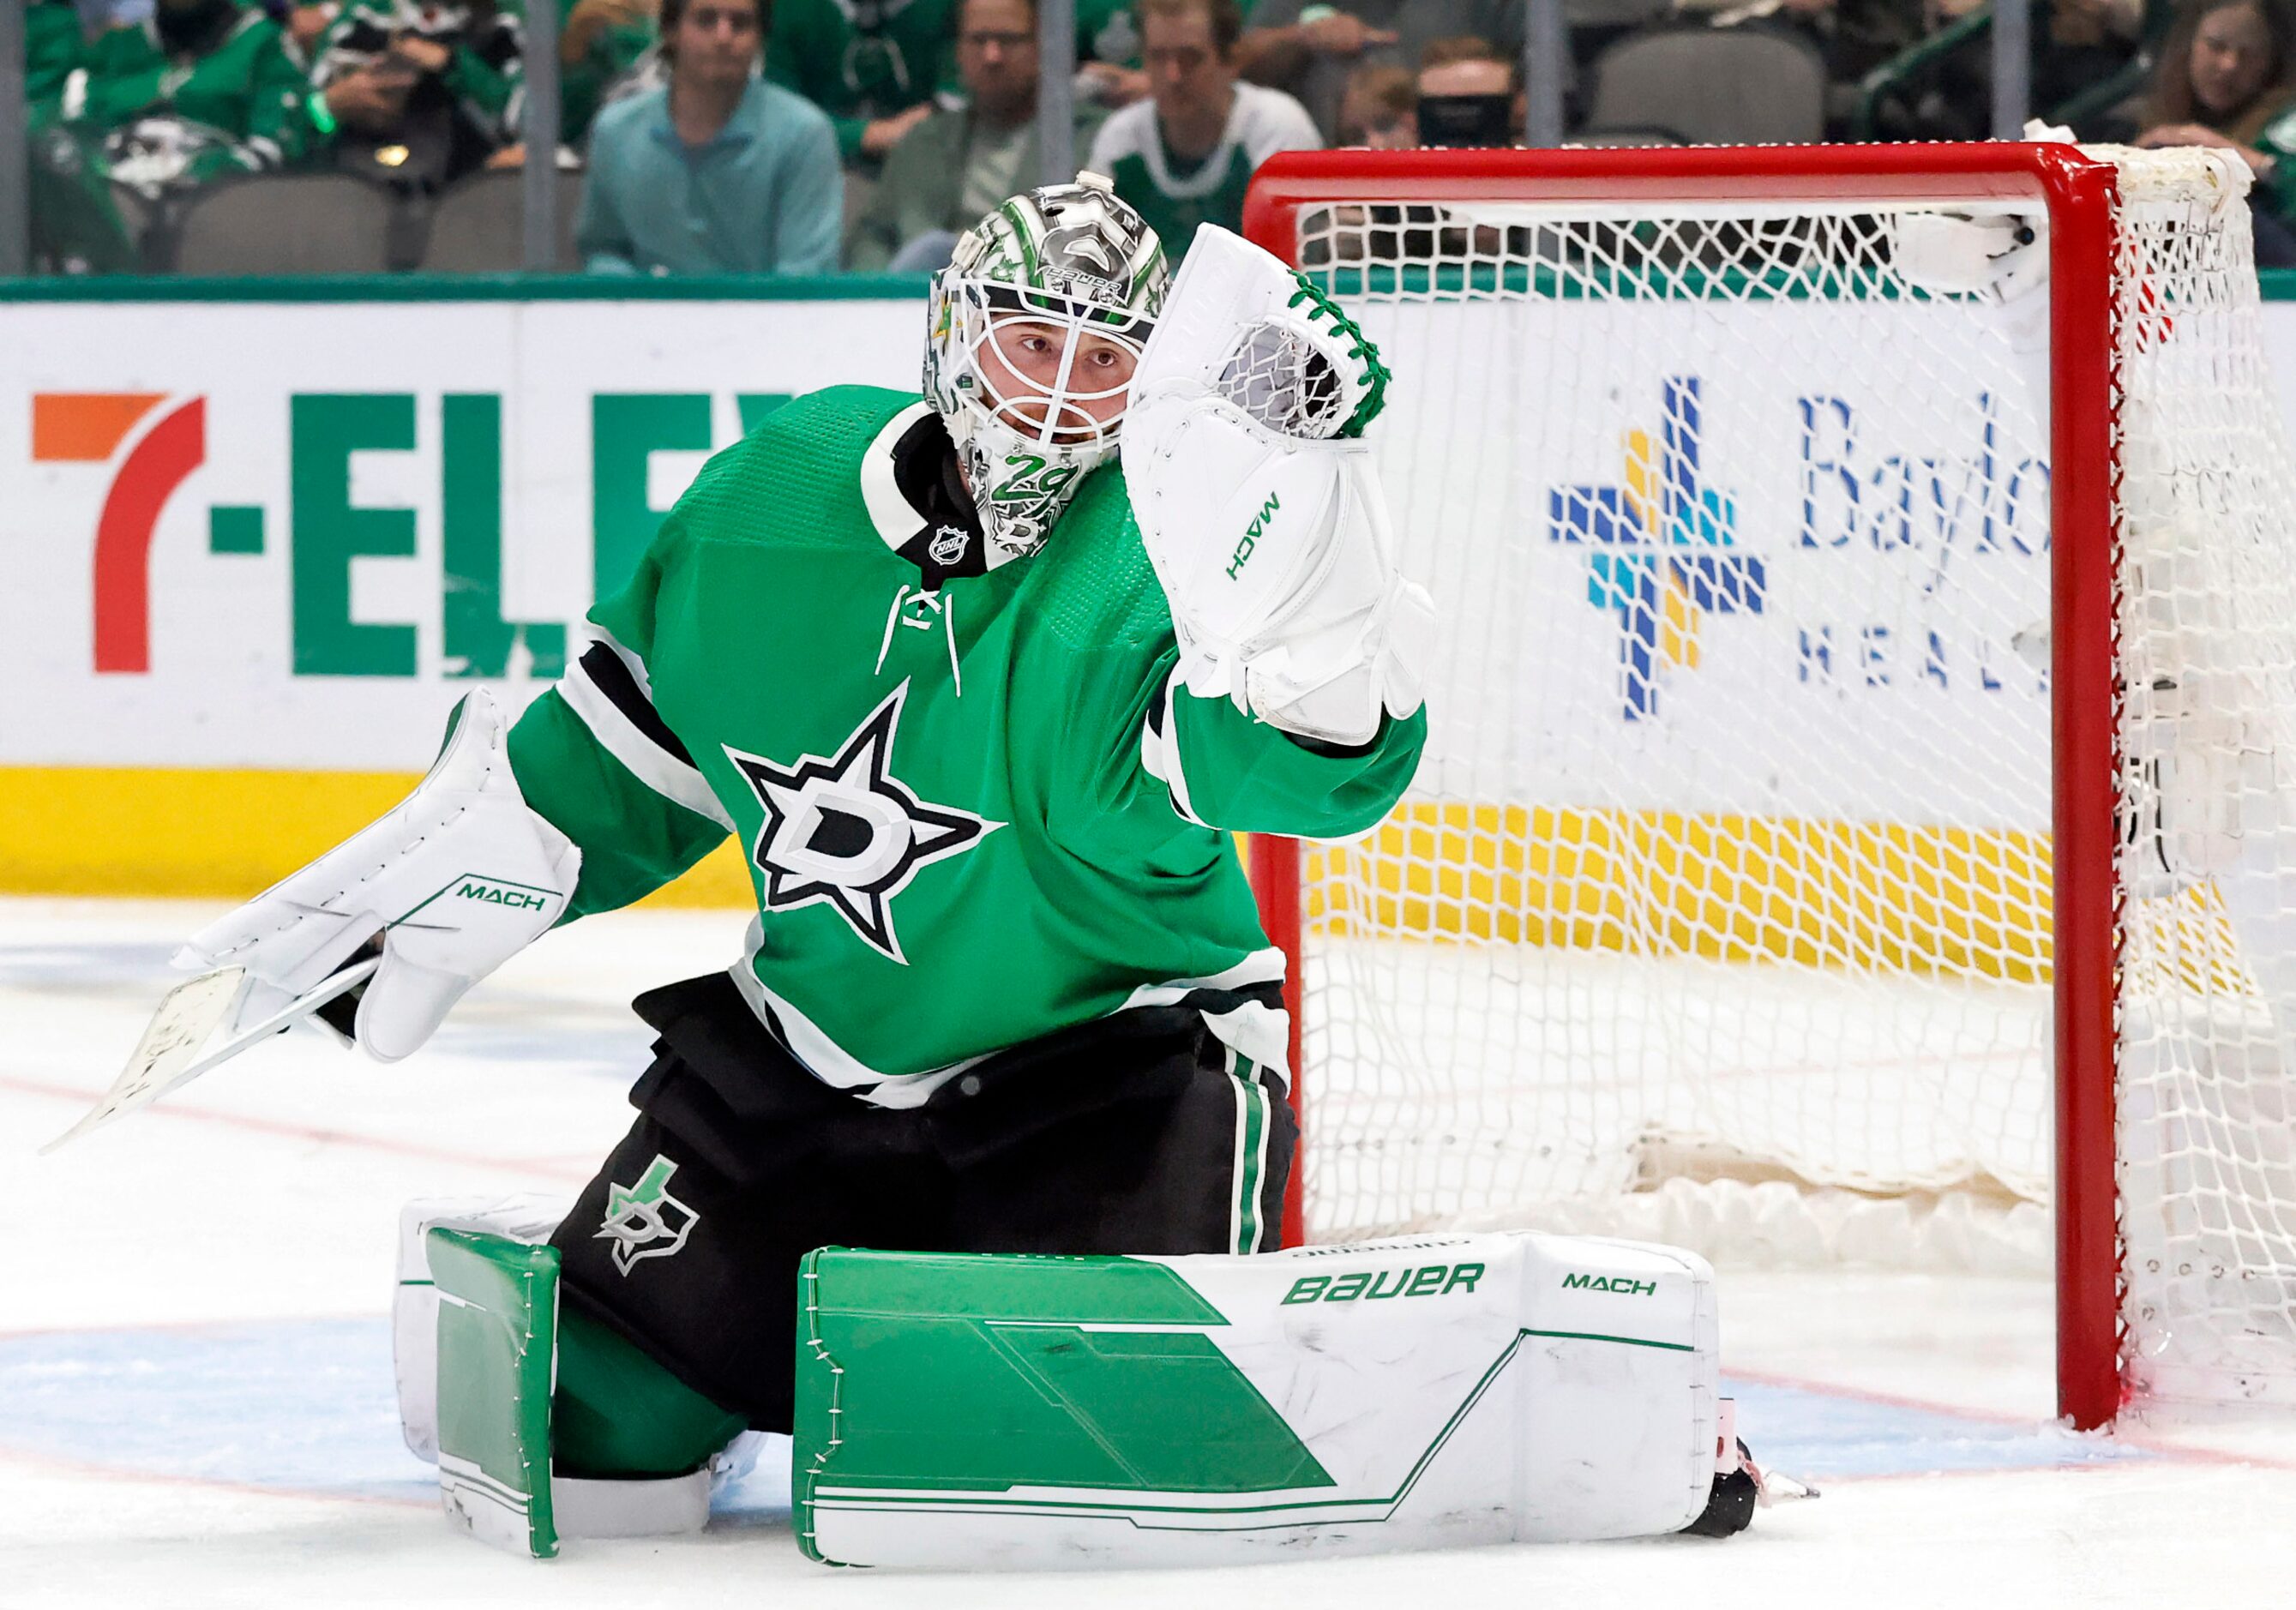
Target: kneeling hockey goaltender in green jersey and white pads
x: 984, y: 709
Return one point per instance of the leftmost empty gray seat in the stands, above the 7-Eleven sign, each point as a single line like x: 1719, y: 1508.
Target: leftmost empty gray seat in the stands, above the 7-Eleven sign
x: 286, y: 224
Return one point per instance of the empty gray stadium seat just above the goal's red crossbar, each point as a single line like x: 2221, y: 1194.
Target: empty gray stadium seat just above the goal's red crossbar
x: 1712, y: 86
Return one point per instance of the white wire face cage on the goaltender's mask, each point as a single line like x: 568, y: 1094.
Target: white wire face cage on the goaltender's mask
x: 1053, y: 417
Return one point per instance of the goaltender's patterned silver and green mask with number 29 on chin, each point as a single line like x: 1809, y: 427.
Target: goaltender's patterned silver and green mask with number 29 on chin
x: 1037, y: 327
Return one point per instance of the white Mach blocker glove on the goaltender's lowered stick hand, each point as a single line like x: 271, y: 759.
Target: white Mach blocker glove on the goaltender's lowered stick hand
x: 456, y: 881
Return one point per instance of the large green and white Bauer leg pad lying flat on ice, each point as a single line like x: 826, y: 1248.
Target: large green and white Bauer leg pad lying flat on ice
x: 1016, y: 1411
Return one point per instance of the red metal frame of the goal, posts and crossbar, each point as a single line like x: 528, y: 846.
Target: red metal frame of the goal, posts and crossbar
x: 2079, y: 194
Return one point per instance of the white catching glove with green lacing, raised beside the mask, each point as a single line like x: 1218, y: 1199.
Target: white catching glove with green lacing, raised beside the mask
x: 1259, y: 504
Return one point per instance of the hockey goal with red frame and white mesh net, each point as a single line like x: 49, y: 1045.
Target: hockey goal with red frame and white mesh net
x: 1781, y: 878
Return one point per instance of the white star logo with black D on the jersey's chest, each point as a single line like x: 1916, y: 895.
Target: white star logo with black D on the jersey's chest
x: 846, y: 833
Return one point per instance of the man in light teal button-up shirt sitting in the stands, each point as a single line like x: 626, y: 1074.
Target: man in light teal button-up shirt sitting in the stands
x: 720, y: 171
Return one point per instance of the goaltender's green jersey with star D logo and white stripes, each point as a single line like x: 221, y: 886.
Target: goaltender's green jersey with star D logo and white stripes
x: 975, y: 800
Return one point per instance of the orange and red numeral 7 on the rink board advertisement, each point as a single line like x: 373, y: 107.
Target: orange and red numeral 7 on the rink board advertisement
x: 91, y: 428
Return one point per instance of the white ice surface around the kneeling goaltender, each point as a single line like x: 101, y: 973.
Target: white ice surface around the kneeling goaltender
x: 196, y: 1372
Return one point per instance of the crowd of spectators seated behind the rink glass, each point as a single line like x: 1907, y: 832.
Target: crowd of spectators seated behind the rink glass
x: 809, y: 137
